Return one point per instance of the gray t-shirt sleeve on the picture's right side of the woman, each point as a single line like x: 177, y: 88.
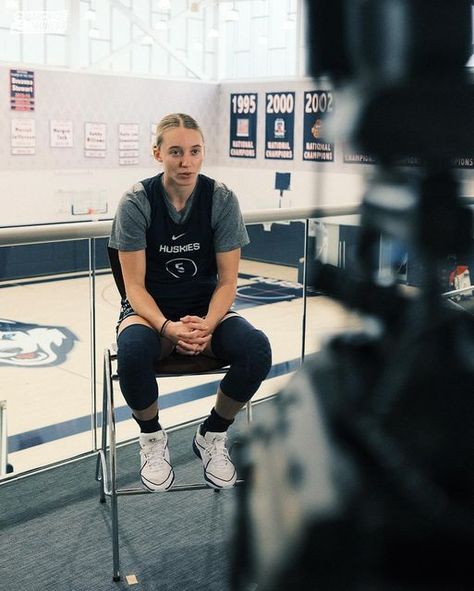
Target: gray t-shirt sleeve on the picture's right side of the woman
x: 227, y: 221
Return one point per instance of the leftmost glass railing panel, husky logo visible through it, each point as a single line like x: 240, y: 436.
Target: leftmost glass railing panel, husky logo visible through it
x: 45, y: 352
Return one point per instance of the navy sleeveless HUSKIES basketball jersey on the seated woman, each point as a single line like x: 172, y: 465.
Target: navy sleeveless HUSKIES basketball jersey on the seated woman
x: 181, y: 270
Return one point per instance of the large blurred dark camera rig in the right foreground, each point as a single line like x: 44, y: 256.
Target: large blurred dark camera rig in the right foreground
x: 356, y: 475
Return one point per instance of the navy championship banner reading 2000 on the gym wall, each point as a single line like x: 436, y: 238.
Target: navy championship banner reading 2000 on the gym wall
x: 279, y: 125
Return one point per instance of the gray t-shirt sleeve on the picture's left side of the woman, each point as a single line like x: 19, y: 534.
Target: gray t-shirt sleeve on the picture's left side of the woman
x: 131, y: 220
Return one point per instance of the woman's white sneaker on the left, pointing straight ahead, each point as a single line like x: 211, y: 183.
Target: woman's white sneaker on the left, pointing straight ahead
x: 155, y: 468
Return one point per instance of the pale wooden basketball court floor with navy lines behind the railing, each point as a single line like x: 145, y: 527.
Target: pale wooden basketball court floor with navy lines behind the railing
x: 45, y: 356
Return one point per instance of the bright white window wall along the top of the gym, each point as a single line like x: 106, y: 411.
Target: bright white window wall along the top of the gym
x: 173, y: 39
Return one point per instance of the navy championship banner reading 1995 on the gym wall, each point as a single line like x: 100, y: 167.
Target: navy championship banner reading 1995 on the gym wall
x: 243, y: 125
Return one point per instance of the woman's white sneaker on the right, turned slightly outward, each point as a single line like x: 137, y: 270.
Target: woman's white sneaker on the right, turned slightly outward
x: 219, y: 471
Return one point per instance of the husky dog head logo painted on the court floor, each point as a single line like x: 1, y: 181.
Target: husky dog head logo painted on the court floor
x: 33, y: 345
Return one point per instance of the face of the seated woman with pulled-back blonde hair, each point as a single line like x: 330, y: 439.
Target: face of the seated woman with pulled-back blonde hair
x: 181, y: 153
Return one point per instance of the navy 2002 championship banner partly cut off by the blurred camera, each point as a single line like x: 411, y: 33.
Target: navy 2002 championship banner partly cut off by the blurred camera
x: 318, y: 105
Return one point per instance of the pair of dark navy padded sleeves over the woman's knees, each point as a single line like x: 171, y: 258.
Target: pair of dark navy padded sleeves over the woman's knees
x: 236, y: 341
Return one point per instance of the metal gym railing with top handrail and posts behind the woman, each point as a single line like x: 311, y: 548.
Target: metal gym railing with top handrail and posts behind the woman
x: 95, y: 229
